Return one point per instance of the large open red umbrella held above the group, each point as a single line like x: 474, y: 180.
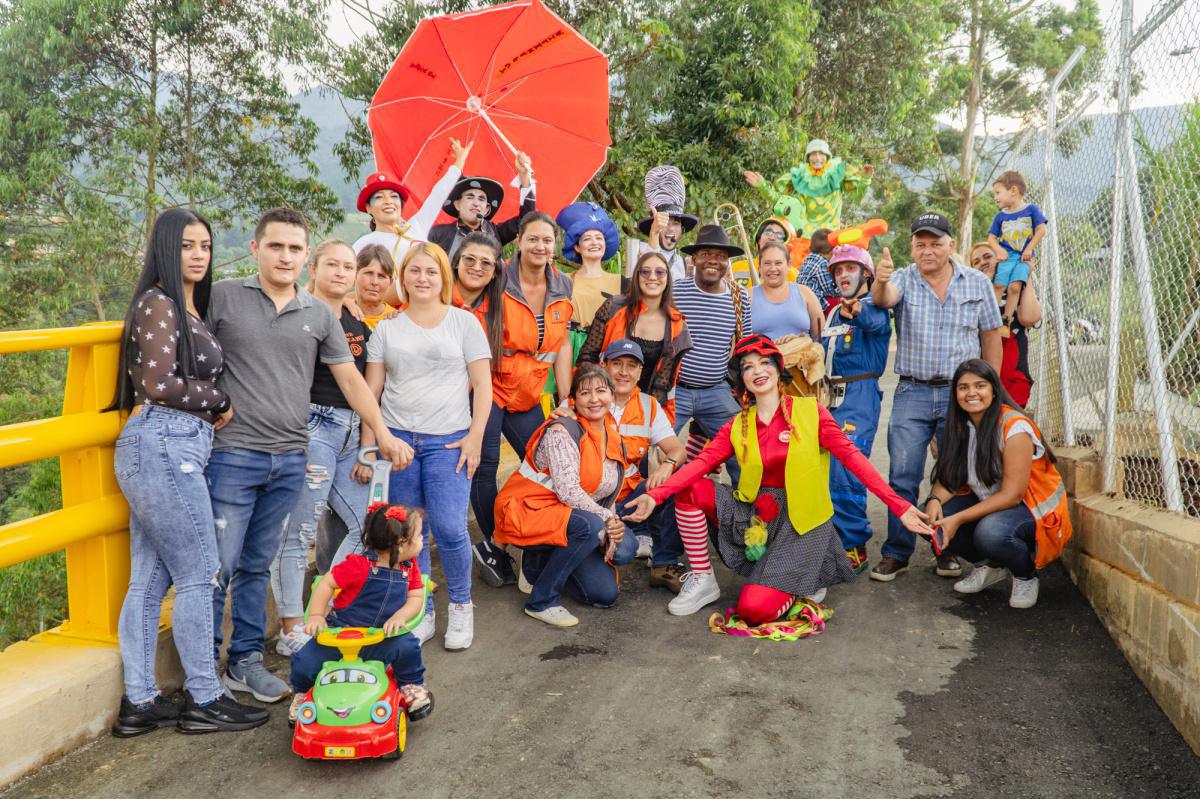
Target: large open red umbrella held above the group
x: 511, y: 77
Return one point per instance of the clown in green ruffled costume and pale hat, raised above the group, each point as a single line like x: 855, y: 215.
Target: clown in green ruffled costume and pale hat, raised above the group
x: 812, y: 197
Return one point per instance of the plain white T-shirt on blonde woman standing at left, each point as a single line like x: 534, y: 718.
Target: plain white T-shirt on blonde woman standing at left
x: 428, y: 388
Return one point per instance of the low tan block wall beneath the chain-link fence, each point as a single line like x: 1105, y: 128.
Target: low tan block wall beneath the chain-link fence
x: 1141, y: 570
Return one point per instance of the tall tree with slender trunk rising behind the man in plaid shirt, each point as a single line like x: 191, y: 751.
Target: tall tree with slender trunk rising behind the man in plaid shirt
x: 1005, y: 56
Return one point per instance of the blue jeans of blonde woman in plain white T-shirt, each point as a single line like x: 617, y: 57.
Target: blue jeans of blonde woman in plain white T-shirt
x: 430, y: 483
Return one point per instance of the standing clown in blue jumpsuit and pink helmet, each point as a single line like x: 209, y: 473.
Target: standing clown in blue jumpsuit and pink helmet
x: 856, y: 338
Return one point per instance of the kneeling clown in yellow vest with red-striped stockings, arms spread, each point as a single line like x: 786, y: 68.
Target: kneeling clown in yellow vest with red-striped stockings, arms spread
x: 776, y: 527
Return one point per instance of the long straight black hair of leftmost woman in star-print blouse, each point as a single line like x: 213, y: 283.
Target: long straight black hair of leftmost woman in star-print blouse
x: 163, y: 268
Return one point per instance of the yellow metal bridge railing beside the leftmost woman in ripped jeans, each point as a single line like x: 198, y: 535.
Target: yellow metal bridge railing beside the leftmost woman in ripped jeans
x: 93, y: 526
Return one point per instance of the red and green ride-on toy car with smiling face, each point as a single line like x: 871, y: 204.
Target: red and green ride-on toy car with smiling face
x: 355, y: 710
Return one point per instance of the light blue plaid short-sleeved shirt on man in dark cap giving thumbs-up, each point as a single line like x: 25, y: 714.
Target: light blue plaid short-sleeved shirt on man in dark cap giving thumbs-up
x: 934, y: 337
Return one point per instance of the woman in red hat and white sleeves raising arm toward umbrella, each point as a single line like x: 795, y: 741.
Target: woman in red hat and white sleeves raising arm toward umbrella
x: 383, y: 200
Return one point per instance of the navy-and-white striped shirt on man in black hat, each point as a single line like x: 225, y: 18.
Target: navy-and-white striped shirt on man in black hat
x: 711, y: 323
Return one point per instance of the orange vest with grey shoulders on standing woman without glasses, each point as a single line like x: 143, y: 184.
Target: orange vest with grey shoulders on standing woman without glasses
x: 521, y: 376
